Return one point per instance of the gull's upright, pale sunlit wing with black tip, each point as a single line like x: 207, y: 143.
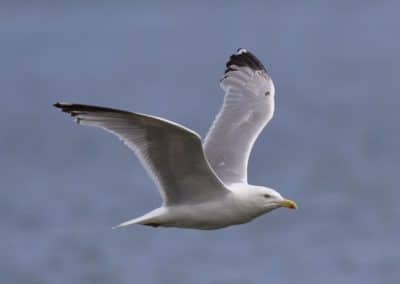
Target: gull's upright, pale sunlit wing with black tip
x: 247, y: 108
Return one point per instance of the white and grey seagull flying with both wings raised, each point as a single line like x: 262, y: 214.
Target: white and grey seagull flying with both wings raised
x: 203, y: 183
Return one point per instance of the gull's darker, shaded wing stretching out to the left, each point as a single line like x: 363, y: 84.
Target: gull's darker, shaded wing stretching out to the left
x: 172, y: 155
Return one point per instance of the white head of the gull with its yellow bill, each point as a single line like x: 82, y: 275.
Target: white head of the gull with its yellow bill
x: 269, y: 199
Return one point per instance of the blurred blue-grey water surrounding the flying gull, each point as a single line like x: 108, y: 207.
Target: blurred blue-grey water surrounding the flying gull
x: 332, y: 145
